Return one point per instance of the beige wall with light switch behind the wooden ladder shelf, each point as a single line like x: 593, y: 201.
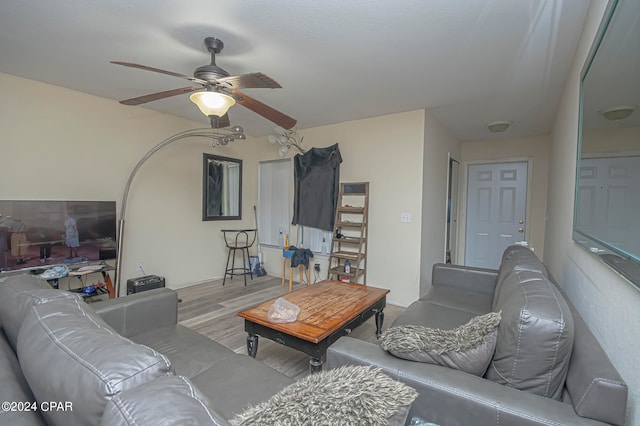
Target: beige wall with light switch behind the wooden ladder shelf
x: 387, y: 152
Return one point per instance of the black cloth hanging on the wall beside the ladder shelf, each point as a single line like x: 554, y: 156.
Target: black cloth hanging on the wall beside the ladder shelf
x: 316, y: 187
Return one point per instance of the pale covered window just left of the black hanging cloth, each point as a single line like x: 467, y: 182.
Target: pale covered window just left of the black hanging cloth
x: 274, y: 201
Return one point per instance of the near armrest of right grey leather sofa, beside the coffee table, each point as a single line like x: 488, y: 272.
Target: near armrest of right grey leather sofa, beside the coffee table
x: 448, y: 396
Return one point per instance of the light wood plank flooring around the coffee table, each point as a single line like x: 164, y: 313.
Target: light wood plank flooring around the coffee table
x: 210, y: 309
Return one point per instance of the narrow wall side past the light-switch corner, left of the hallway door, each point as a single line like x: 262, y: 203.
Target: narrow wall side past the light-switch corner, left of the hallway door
x: 438, y: 144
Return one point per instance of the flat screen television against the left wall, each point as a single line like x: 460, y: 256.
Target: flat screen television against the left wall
x: 36, y: 234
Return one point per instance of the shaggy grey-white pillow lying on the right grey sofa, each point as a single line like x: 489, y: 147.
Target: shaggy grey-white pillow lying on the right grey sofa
x: 468, y: 348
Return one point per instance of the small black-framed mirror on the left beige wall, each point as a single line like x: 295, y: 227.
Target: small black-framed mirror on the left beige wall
x: 221, y: 188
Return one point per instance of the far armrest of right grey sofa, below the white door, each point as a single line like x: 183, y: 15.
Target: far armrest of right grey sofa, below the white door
x: 479, y: 280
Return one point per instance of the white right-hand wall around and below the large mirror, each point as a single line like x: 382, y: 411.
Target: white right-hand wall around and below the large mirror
x: 608, y: 303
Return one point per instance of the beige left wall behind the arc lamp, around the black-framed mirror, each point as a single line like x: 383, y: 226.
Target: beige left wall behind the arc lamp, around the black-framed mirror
x: 59, y: 144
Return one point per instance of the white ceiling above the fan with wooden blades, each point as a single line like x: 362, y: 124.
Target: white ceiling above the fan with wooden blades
x: 470, y: 62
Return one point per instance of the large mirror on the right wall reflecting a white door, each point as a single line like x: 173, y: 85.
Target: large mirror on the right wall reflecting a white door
x: 607, y: 207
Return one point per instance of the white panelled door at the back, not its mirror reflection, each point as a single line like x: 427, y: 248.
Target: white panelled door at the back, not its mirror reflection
x: 496, y: 211
